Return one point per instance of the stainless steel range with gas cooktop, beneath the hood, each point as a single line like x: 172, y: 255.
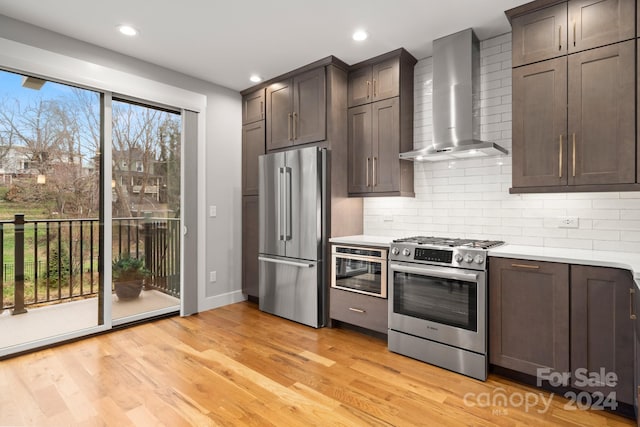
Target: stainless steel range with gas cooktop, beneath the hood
x: 438, y: 302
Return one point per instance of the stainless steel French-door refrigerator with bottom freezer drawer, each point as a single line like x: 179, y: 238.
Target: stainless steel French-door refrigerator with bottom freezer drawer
x: 292, y: 234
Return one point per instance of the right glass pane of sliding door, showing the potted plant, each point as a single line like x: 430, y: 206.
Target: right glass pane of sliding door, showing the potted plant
x: 146, y: 147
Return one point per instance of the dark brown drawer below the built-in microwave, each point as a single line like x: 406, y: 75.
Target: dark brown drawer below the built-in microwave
x: 357, y: 309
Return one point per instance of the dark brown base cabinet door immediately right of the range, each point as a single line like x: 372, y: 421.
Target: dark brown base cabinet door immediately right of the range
x: 528, y: 315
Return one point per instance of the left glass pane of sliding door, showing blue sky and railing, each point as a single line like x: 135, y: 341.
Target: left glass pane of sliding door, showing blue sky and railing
x: 50, y: 173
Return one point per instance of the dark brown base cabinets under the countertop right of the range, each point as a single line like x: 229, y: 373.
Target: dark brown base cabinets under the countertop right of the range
x: 533, y: 323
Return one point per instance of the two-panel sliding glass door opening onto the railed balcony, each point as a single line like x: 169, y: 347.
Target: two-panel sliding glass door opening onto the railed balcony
x: 55, y: 194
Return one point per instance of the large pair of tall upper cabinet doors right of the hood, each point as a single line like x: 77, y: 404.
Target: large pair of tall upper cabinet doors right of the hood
x: 589, y: 141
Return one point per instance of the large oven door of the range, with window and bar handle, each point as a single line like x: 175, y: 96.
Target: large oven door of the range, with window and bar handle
x: 442, y: 304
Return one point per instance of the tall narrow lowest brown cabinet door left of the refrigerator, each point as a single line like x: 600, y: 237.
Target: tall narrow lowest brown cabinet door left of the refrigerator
x: 250, y: 224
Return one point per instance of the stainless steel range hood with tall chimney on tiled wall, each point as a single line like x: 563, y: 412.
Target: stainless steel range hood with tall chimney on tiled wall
x: 456, y: 102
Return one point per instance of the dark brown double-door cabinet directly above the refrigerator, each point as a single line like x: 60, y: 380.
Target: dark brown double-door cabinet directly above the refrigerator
x: 296, y: 110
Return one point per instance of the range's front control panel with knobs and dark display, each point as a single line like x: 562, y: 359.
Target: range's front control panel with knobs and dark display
x: 454, y: 257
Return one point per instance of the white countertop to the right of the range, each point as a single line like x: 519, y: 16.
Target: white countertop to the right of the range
x: 624, y: 260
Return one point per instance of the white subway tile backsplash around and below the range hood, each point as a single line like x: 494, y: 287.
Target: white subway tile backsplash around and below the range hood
x: 470, y: 198
